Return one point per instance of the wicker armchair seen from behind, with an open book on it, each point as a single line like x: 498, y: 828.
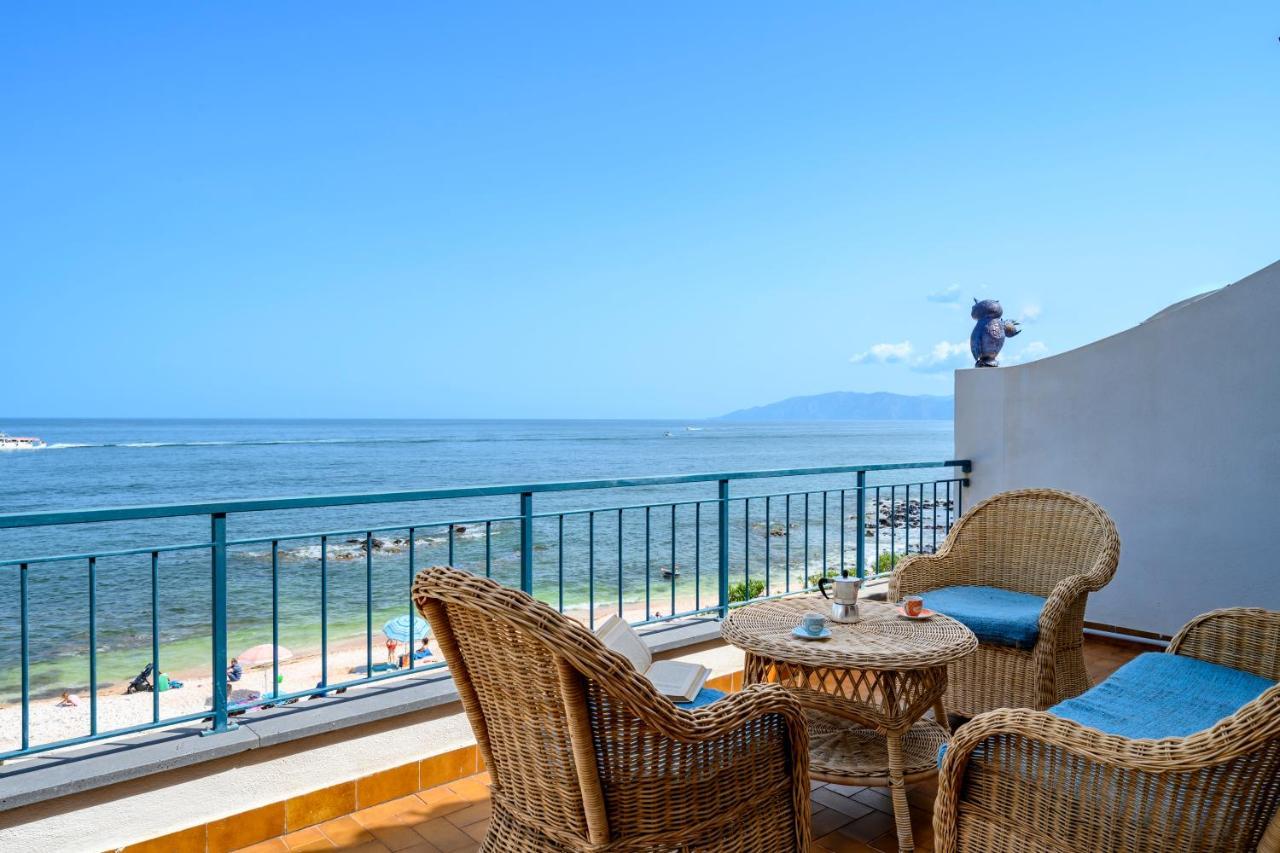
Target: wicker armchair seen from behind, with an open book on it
x: 586, y: 755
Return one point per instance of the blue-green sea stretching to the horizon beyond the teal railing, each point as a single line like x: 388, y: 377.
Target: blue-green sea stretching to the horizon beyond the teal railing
x: 612, y: 555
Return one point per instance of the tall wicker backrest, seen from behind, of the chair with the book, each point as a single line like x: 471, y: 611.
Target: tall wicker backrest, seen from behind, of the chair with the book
x: 523, y: 672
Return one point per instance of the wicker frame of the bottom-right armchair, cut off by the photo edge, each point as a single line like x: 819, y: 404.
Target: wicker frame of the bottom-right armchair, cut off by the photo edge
x: 1026, y: 781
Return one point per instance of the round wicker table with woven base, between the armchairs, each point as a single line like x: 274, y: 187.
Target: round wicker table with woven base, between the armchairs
x: 866, y: 690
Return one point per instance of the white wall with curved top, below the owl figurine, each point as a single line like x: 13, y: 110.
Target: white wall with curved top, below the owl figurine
x: 1173, y: 428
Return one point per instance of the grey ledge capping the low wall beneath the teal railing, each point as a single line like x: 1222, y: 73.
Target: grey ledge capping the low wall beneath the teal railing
x: 48, y: 777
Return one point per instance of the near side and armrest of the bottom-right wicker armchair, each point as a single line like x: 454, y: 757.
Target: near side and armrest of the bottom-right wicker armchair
x: 1057, y: 768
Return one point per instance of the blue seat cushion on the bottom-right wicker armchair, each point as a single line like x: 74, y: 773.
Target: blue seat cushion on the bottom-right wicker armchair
x: 1163, y: 696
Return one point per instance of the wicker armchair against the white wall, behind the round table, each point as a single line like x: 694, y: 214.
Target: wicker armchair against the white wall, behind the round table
x: 1043, y: 542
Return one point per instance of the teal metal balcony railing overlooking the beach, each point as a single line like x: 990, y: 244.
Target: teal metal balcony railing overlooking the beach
x: 889, y: 519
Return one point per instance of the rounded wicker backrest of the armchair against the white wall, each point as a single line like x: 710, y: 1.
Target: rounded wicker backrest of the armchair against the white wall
x: 1030, y: 540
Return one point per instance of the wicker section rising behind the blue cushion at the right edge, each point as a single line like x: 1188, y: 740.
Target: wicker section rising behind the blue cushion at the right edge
x: 1242, y: 638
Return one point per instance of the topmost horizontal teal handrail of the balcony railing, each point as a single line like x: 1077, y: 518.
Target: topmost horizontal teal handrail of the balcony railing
x: 262, y: 505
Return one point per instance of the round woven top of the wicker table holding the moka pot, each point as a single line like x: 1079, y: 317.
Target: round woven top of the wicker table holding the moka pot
x: 880, y: 641
